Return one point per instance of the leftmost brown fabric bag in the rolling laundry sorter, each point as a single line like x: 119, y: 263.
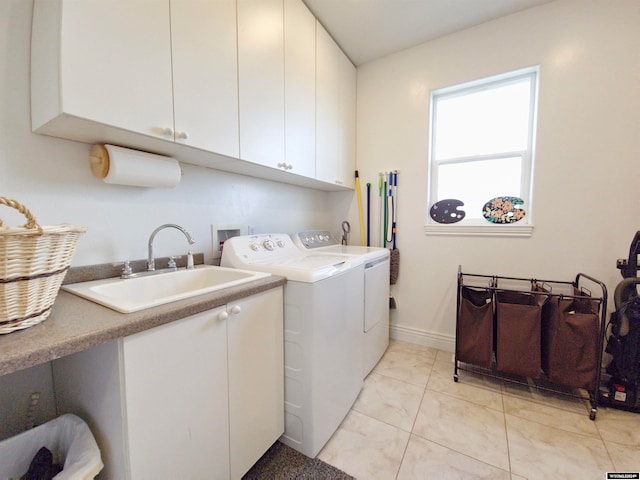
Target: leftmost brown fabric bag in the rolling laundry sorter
x: 474, y: 341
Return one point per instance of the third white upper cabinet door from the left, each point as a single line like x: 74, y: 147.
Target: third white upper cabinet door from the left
x: 261, y: 81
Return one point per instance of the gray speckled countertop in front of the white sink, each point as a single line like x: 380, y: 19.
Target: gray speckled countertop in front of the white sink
x: 76, y: 324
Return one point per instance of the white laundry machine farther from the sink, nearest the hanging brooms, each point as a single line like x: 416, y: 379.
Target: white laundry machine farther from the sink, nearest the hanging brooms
x: 375, y: 324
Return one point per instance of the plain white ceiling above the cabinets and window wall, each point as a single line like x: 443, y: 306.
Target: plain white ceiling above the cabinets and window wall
x: 370, y: 29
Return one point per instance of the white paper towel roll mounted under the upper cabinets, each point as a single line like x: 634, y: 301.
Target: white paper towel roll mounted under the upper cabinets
x: 123, y: 166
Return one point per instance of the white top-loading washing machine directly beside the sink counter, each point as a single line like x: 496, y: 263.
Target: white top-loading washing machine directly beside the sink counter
x: 323, y: 332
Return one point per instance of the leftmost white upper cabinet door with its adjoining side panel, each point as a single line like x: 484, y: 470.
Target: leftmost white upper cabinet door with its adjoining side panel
x: 108, y: 61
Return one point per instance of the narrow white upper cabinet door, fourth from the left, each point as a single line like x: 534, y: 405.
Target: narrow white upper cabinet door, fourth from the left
x: 300, y: 88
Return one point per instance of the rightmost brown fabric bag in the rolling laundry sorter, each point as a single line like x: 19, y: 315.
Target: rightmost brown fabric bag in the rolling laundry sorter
x: 570, y: 349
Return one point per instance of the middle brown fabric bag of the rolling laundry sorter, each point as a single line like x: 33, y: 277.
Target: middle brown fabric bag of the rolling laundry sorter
x: 518, y: 320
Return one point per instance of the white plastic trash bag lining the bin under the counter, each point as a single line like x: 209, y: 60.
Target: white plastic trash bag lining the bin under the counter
x: 67, y: 437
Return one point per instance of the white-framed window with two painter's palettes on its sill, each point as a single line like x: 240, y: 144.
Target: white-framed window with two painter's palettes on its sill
x: 482, y: 138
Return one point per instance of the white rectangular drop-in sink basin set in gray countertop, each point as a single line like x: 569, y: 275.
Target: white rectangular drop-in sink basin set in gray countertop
x: 138, y: 293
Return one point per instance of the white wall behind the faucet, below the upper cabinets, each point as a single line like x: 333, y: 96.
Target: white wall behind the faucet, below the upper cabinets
x: 52, y: 177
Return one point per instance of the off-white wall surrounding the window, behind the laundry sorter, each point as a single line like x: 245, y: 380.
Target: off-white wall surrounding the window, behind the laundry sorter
x: 587, y: 167
